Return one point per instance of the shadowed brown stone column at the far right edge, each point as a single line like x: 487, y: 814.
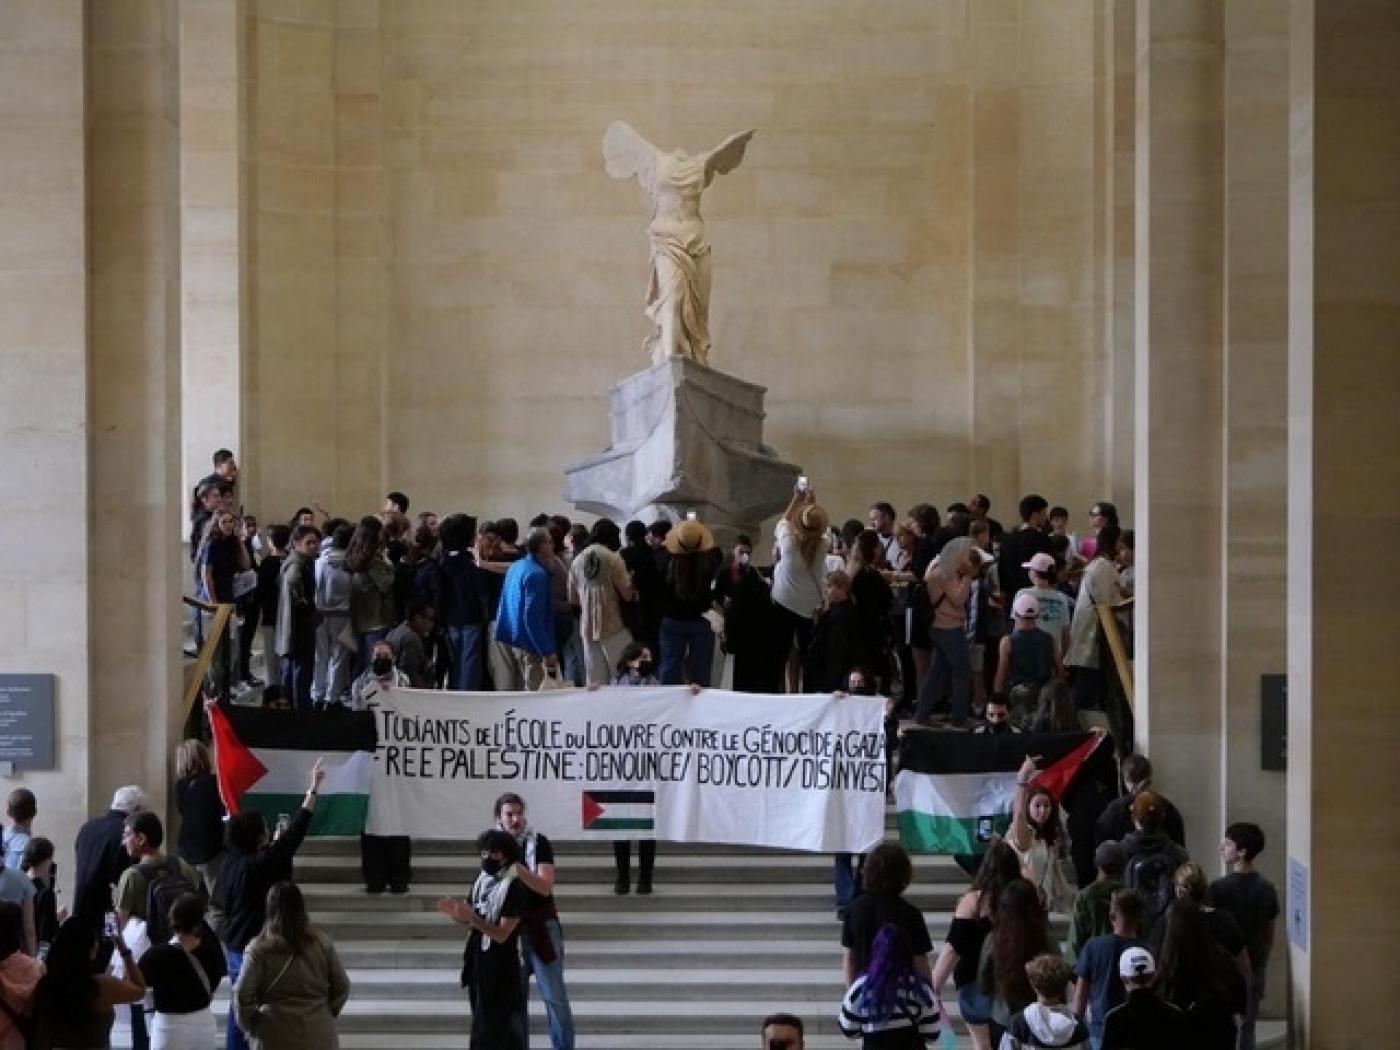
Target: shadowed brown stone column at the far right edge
x: 1343, y: 521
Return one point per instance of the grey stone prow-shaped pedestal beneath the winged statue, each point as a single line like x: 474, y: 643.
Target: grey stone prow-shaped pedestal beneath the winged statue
x: 685, y: 437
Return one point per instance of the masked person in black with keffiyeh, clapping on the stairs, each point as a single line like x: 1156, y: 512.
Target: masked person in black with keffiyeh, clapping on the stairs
x: 492, y: 961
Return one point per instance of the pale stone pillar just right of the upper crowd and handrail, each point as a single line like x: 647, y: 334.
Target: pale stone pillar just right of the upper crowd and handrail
x: 1179, y: 409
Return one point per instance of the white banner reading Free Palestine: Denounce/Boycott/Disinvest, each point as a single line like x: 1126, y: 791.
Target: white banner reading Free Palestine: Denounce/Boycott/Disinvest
x: 626, y: 762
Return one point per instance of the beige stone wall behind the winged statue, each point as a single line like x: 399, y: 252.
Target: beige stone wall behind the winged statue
x: 444, y: 283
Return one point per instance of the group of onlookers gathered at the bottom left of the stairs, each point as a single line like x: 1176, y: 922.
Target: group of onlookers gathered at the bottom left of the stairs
x: 155, y: 932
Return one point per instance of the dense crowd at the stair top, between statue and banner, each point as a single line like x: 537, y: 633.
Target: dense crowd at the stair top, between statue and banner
x: 940, y: 610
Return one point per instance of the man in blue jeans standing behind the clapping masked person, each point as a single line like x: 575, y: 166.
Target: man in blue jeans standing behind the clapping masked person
x: 542, y: 944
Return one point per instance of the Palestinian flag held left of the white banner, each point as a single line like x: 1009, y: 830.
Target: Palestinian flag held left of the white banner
x: 265, y: 762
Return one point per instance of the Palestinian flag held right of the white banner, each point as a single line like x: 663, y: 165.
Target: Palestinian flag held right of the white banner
x: 955, y: 790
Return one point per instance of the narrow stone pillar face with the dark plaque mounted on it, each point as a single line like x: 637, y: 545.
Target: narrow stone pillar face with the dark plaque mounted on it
x: 1255, y: 499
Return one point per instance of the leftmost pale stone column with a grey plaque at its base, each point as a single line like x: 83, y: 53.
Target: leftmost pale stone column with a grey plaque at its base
x: 44, y: 387
